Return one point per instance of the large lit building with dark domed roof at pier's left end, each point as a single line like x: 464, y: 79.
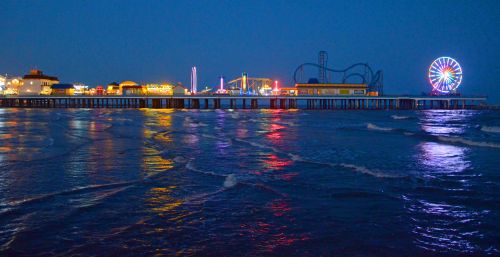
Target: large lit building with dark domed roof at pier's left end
x: 37, y: 83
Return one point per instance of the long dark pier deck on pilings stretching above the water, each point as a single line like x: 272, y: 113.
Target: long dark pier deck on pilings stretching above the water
x: 247, y: 102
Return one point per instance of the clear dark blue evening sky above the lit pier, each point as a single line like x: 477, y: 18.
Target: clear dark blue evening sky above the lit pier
x: 100, y: 41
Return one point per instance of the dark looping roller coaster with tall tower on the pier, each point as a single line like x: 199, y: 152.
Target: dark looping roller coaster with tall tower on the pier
x: 359, y: 71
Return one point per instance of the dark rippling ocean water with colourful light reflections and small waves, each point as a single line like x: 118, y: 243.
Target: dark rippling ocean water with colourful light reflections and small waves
x: 249, y: 183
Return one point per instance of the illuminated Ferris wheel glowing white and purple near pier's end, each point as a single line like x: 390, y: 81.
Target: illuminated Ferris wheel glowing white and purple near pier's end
x: 445, y: 75
